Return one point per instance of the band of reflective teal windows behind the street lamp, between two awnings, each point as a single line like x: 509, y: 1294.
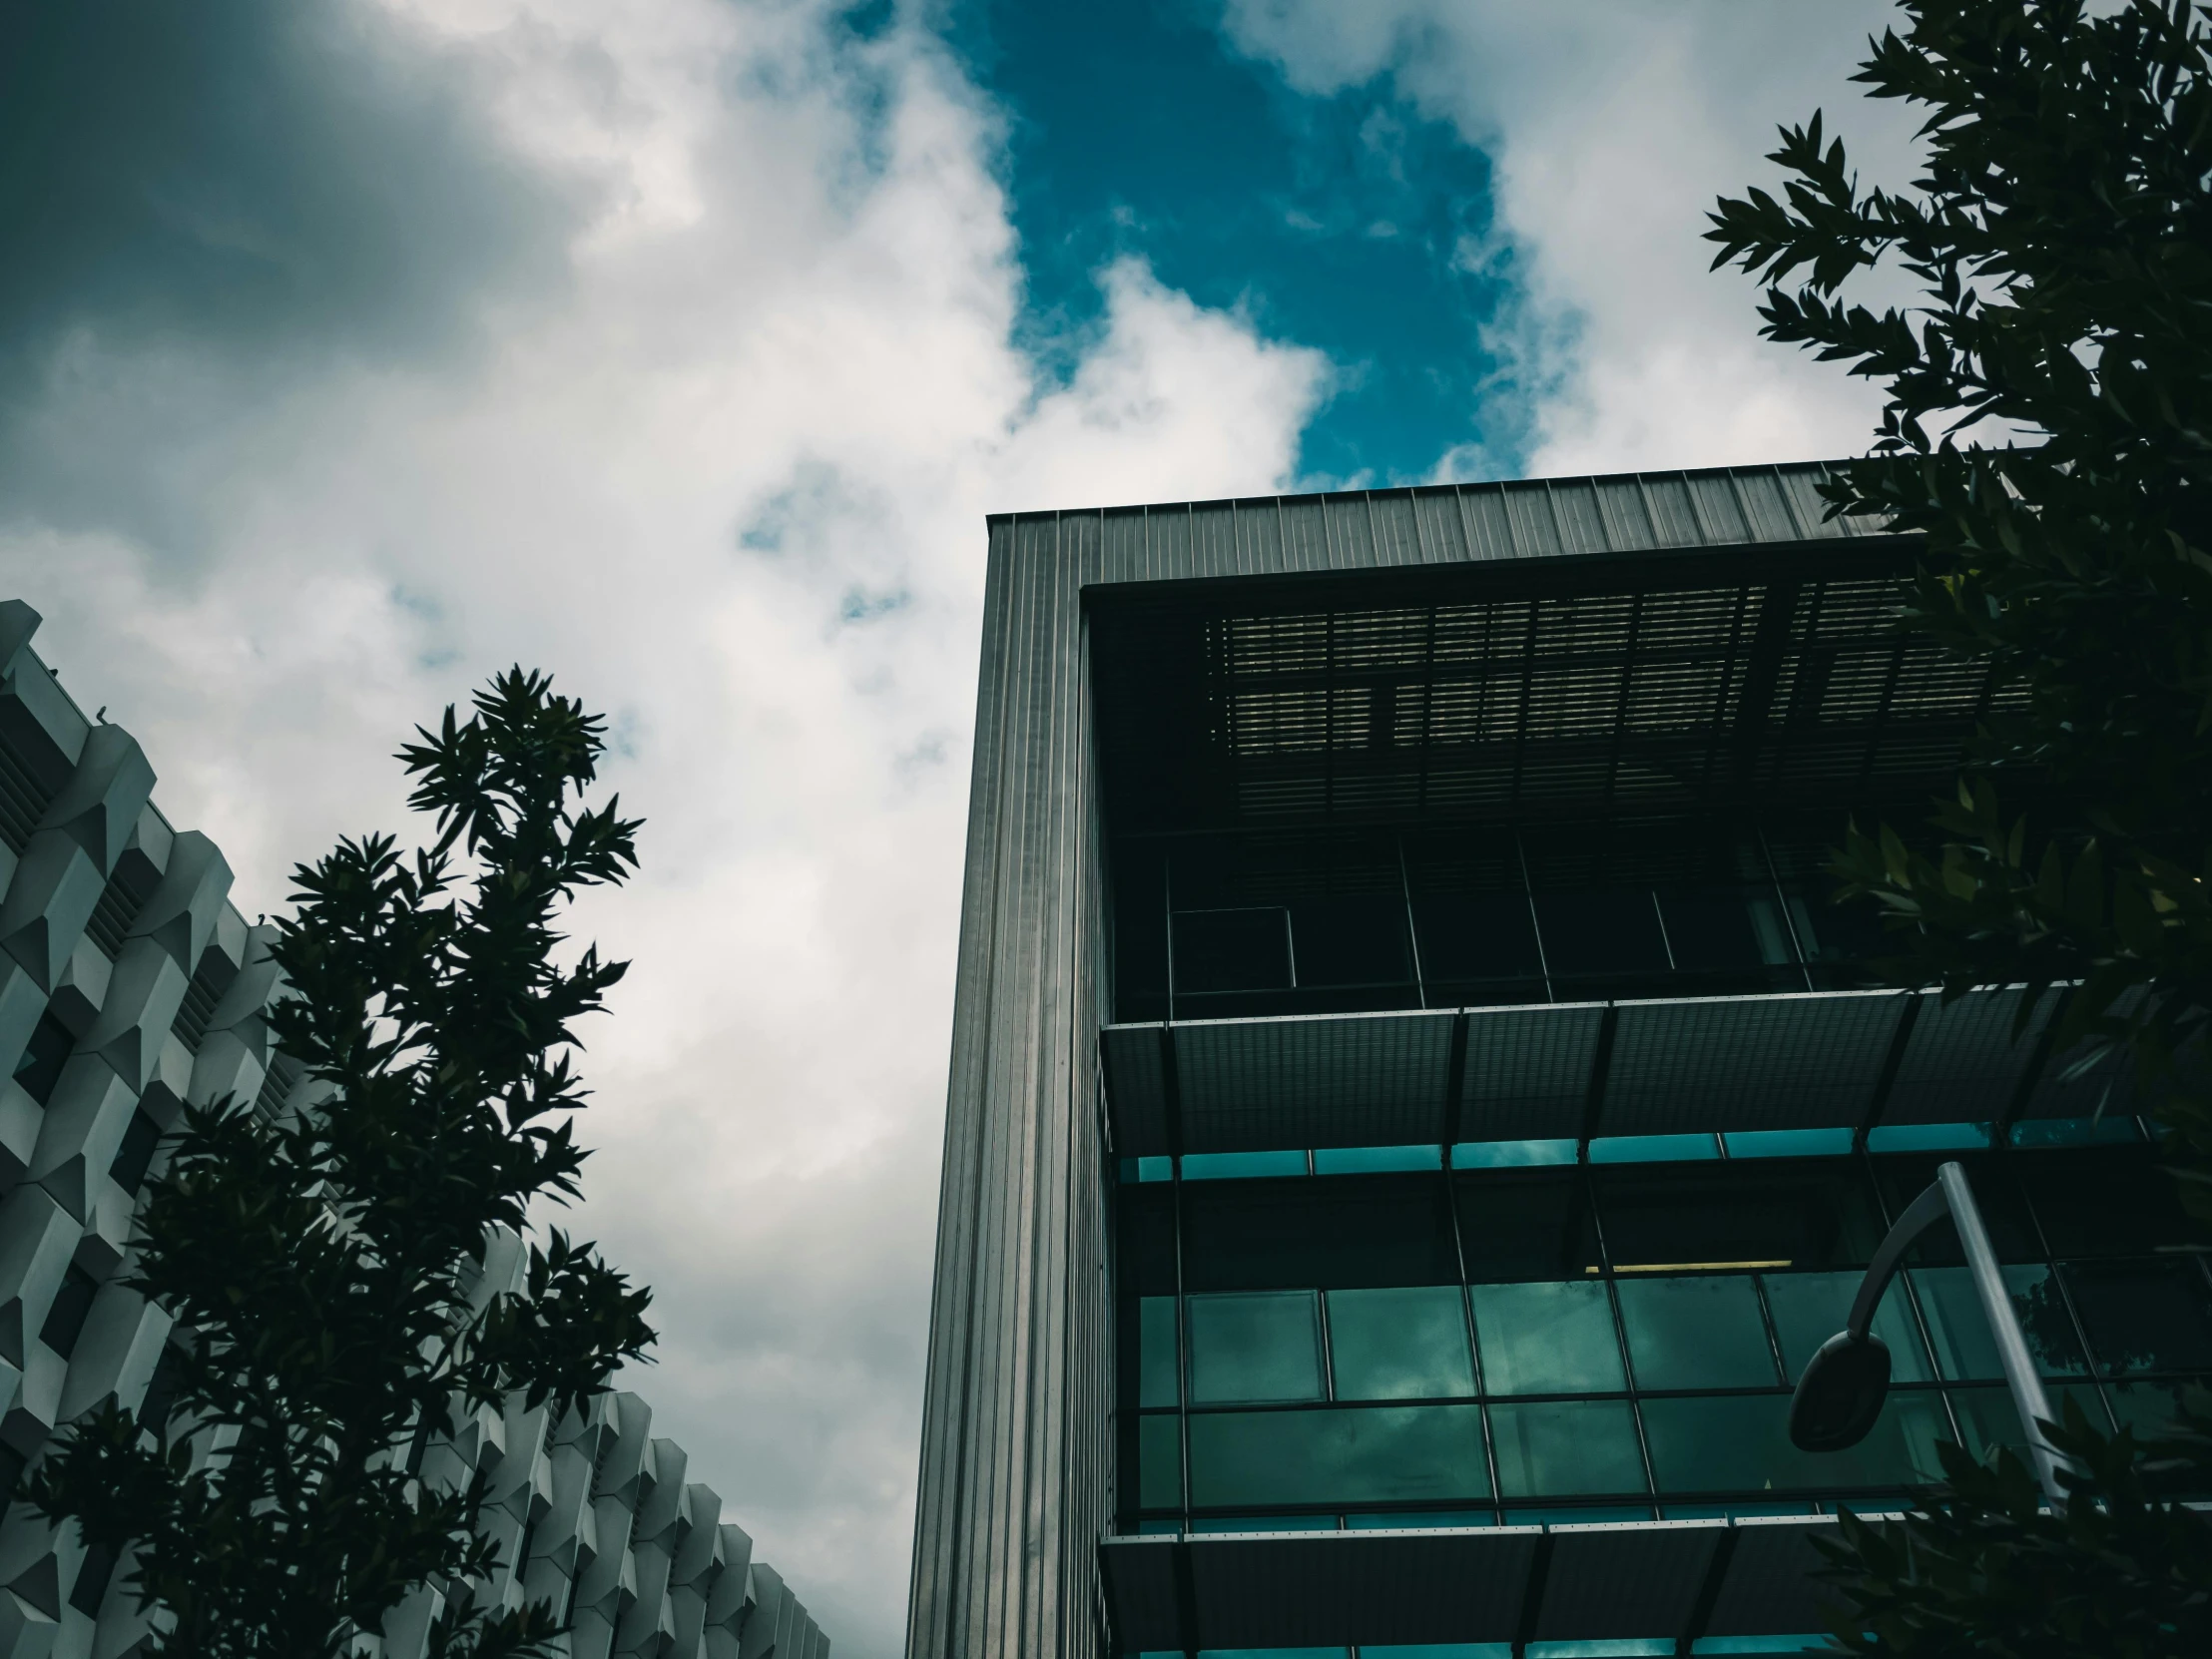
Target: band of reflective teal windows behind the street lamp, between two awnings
x: 1609, y: 1342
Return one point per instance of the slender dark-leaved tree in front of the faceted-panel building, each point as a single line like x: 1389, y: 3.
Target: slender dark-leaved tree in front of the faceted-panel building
x: 326, y: 1269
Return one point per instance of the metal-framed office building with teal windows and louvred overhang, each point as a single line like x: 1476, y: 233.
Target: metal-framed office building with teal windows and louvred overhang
x: 1415, y: 1107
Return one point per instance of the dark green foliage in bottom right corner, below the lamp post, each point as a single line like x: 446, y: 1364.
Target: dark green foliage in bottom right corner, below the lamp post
x: 1983, y: 1569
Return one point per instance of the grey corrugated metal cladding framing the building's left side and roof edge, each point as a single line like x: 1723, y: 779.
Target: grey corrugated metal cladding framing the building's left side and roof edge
x: 1016, y: 1463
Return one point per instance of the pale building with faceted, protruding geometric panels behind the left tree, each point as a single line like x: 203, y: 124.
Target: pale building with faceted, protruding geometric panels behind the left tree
x: 132, y: 985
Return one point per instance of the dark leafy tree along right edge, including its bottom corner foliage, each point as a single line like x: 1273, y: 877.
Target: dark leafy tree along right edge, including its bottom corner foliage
x: 2063, y: 236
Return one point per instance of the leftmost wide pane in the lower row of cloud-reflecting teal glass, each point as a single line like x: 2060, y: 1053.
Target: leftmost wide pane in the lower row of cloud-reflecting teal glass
x: 1346, y: 1457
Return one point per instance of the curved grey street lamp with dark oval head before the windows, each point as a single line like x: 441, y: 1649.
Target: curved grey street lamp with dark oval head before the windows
x: 1848, y: 1379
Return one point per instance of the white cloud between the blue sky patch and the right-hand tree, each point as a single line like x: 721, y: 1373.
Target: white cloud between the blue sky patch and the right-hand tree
x: 1614, y: 125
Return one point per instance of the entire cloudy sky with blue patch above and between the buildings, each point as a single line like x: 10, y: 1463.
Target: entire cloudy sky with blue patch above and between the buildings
x: 353, y: 351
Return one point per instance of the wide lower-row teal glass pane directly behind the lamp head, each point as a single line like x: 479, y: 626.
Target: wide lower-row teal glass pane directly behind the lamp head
x: 1742, y: 1443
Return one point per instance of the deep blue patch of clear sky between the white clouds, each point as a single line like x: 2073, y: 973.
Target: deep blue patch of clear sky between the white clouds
x: 1346, y: 225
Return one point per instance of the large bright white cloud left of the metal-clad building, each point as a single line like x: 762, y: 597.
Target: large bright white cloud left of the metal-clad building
x: 727, y: 477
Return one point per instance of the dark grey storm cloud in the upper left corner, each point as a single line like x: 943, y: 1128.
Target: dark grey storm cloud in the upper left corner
x: 200, y: 200
